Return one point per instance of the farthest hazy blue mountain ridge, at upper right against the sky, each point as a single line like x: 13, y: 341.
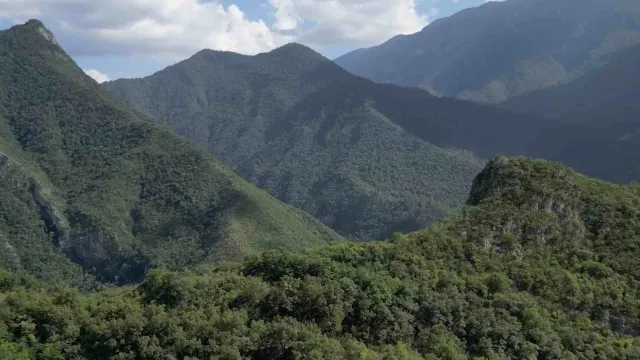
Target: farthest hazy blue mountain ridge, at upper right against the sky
x: 503, y: 49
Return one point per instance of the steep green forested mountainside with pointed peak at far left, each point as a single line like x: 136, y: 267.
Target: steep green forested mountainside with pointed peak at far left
x: 88, y: 186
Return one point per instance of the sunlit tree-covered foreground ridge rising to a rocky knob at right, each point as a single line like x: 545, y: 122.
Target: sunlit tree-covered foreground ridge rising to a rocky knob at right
x: 542, y: 264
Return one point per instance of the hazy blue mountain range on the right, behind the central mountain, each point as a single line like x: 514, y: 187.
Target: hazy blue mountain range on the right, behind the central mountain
x: 571, y: 65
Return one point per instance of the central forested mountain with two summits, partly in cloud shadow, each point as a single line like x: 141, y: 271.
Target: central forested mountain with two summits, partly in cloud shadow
x: 366, y: 159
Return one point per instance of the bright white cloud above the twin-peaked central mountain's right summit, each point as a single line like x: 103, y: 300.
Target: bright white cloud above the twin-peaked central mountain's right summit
x: 347, y: 22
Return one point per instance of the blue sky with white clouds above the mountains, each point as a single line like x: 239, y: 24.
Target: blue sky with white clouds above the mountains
x: 111, y: 39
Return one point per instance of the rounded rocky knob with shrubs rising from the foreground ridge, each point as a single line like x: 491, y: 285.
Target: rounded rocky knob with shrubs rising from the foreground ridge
x: 539, y: 203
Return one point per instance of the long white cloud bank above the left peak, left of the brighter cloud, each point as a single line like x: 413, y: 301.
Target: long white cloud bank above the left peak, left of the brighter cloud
x: 161, y: 28
